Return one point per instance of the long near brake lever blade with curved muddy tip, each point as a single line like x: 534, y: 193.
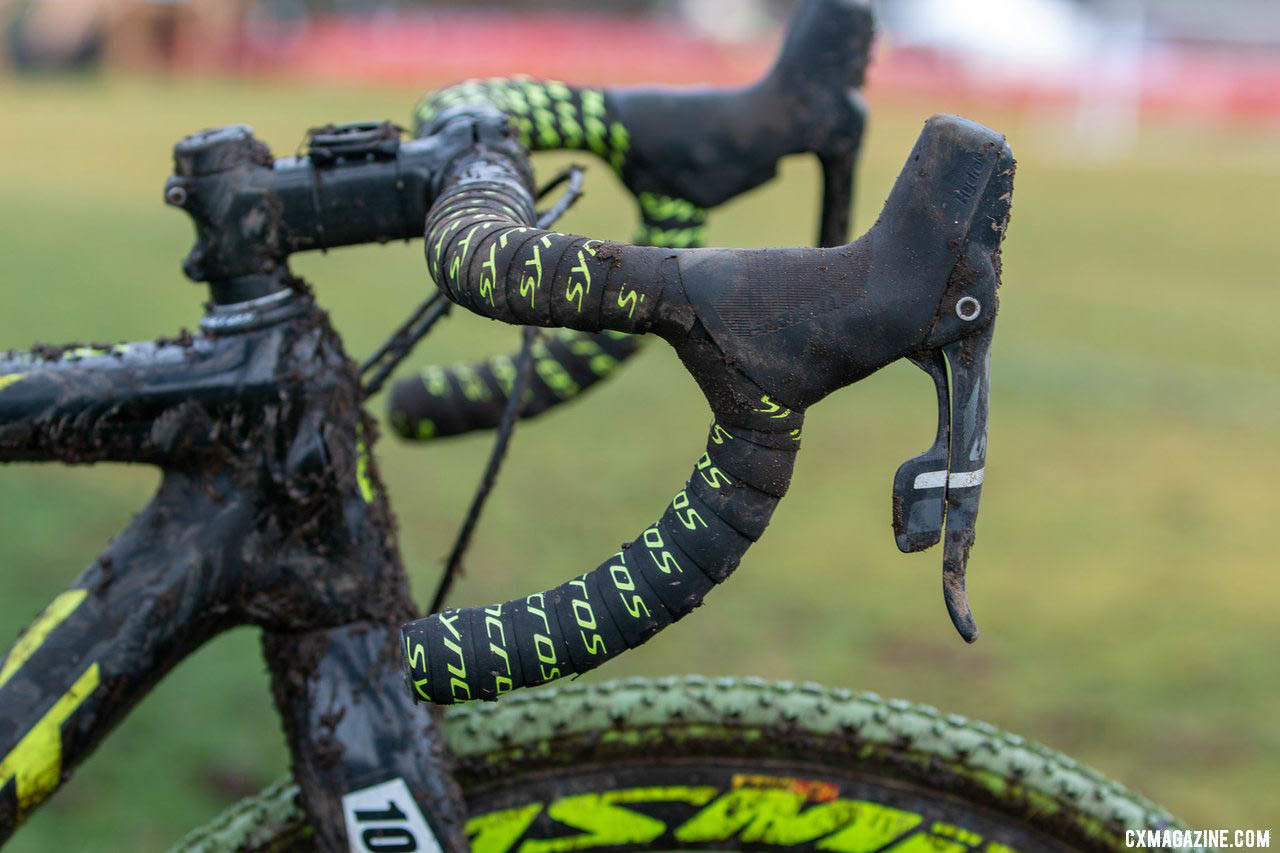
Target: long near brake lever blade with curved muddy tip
x: 970, y: 361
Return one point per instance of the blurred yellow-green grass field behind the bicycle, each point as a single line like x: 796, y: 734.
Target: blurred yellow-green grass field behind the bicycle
x: 1124, y: 576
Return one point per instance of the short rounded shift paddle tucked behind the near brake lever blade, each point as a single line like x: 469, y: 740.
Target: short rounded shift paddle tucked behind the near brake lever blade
x: 921, y: 483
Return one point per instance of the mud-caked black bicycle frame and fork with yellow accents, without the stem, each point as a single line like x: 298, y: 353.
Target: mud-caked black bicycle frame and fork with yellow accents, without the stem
x: 266, y: 517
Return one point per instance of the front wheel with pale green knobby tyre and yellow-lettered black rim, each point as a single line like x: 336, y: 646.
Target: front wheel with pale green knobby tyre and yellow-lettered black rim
x: 743, y: 765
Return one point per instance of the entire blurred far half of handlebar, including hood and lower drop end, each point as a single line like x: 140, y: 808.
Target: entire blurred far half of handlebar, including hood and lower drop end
x: 679, y: 153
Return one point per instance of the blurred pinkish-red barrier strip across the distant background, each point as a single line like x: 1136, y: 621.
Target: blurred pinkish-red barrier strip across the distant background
x: 444, y: 47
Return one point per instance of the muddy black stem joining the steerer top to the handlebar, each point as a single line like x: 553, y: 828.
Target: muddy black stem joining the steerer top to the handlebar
x: 253, y: 211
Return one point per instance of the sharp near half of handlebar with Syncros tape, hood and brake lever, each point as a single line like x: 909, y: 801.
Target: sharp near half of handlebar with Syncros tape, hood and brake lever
x: 766, y: 334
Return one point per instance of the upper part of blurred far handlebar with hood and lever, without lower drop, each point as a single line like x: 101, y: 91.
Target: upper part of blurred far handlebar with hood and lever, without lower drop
x: 680, y: 152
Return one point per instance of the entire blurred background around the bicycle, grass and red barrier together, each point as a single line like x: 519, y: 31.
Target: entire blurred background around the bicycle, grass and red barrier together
x: 1124, y: 576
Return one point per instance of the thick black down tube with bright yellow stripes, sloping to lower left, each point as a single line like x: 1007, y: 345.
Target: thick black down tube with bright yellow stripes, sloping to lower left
x: 143, y: 606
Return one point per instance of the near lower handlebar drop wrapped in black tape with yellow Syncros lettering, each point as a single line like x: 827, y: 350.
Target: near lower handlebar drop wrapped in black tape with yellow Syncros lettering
x: 483, y: 653
